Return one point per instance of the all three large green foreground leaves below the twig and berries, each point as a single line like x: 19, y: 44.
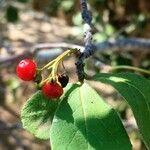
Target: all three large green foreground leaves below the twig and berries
x: 81, y: 119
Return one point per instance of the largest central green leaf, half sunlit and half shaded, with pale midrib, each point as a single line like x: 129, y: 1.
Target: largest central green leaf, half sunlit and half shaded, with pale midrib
x: 84, y: 121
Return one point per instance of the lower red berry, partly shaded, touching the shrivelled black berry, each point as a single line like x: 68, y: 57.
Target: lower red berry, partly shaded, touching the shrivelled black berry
x: 52, y: 90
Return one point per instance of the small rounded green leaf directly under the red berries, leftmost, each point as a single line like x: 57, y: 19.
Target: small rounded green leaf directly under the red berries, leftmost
x: 37, y: 115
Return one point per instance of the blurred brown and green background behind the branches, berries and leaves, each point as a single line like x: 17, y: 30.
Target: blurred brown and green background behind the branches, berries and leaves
x: 25, y: 23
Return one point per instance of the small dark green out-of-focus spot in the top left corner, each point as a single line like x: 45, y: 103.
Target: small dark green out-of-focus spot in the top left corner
x: 12, y: 14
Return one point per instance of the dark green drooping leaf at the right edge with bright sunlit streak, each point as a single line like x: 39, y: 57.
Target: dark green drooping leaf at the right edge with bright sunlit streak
x: 136, y: 91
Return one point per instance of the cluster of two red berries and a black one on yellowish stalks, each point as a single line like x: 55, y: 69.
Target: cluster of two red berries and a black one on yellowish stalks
x: 52, y: 87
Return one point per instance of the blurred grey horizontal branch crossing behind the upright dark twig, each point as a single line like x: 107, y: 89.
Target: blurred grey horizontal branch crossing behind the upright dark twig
x: 122, y: 44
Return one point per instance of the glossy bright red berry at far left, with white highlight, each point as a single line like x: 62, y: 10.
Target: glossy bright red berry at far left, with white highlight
x: 26, y: 69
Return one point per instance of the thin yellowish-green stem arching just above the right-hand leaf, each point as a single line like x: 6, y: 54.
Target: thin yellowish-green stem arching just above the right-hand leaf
x: 130, y: 68
